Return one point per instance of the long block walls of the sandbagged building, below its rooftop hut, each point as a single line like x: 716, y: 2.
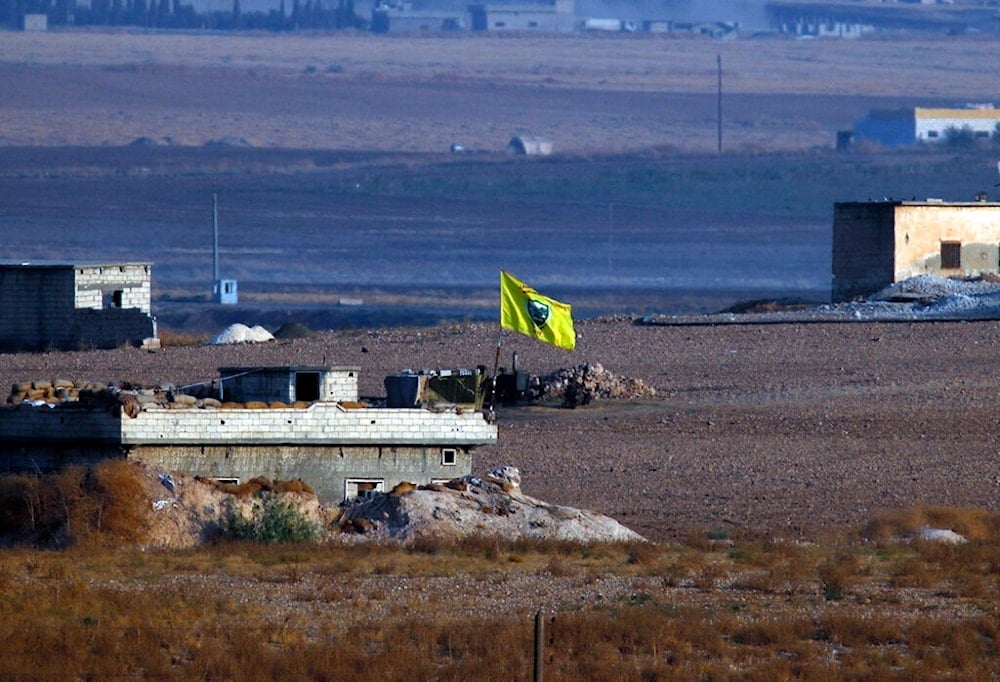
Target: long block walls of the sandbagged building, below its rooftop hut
x: 324, y: 444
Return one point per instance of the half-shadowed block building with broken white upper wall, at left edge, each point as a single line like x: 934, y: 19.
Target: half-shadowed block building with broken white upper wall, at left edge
x: 69, y: 306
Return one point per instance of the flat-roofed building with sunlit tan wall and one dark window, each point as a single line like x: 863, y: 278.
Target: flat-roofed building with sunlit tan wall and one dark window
x: 878, y: 243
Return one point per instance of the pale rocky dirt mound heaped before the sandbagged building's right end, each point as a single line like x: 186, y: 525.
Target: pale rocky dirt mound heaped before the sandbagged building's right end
x: 493, y: 506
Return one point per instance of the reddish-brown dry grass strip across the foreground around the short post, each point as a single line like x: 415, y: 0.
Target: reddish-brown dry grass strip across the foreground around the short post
x: 337, y: 612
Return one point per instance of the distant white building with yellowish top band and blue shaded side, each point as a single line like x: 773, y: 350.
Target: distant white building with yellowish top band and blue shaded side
x: 899, y: 127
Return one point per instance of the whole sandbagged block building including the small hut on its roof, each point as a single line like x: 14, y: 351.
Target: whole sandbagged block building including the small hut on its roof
x: 296, y: 423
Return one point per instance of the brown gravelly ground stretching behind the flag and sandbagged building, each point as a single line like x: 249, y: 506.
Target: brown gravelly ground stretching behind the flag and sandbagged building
x: 783, y: 429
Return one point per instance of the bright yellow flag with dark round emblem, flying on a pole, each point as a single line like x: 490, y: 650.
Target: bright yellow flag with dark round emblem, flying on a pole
x: 524, y: 310
